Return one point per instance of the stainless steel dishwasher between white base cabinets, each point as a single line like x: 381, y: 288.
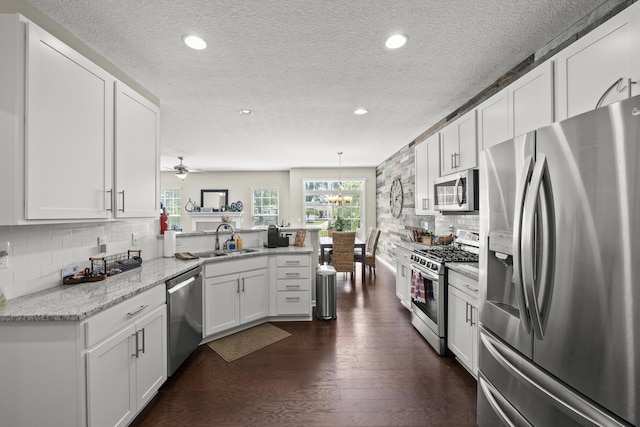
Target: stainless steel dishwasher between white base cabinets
x: 184, y: 317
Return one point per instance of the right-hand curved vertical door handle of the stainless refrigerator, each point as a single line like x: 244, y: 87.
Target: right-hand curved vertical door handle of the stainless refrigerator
x: 531, y: 234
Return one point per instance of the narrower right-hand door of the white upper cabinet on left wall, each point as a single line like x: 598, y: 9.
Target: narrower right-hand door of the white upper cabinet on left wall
x: 137, y: 164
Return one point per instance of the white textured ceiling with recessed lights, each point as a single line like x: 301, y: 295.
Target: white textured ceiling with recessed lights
x: 304, y: 66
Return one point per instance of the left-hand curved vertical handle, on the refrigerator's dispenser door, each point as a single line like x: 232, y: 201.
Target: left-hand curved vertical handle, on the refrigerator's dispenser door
x: 521, y: 192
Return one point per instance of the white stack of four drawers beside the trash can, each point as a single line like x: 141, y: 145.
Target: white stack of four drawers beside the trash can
x: 293, y: 284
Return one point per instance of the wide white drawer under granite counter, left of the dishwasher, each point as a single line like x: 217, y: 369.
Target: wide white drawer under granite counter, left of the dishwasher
x: 117, y: 317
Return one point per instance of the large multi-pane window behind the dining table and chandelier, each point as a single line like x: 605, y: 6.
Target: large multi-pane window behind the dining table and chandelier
x: 320, y: 212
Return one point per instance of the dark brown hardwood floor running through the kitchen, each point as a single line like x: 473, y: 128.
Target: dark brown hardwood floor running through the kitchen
x: 369, y: 367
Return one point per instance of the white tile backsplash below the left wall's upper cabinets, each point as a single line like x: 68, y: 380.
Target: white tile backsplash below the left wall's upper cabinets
x: 40, y: 252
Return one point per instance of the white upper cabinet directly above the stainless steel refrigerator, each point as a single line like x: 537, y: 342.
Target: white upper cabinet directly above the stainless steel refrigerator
x: 600, y: 68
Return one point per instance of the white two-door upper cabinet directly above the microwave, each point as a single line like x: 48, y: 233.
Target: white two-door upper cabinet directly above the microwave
x: 458, y: 145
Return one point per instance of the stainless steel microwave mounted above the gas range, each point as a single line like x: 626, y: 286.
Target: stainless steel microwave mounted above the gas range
x: 457, y: 192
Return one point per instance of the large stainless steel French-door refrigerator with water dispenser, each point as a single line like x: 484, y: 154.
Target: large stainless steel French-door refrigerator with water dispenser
x: 560, y: 273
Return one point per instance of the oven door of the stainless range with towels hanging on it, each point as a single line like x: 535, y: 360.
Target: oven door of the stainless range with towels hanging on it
x: 428, y: 299
